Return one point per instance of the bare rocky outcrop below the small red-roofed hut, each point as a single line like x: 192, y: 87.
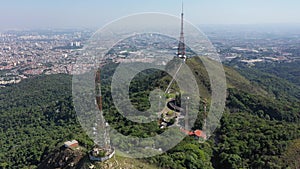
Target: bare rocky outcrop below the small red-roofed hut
x: 63, y: 158
